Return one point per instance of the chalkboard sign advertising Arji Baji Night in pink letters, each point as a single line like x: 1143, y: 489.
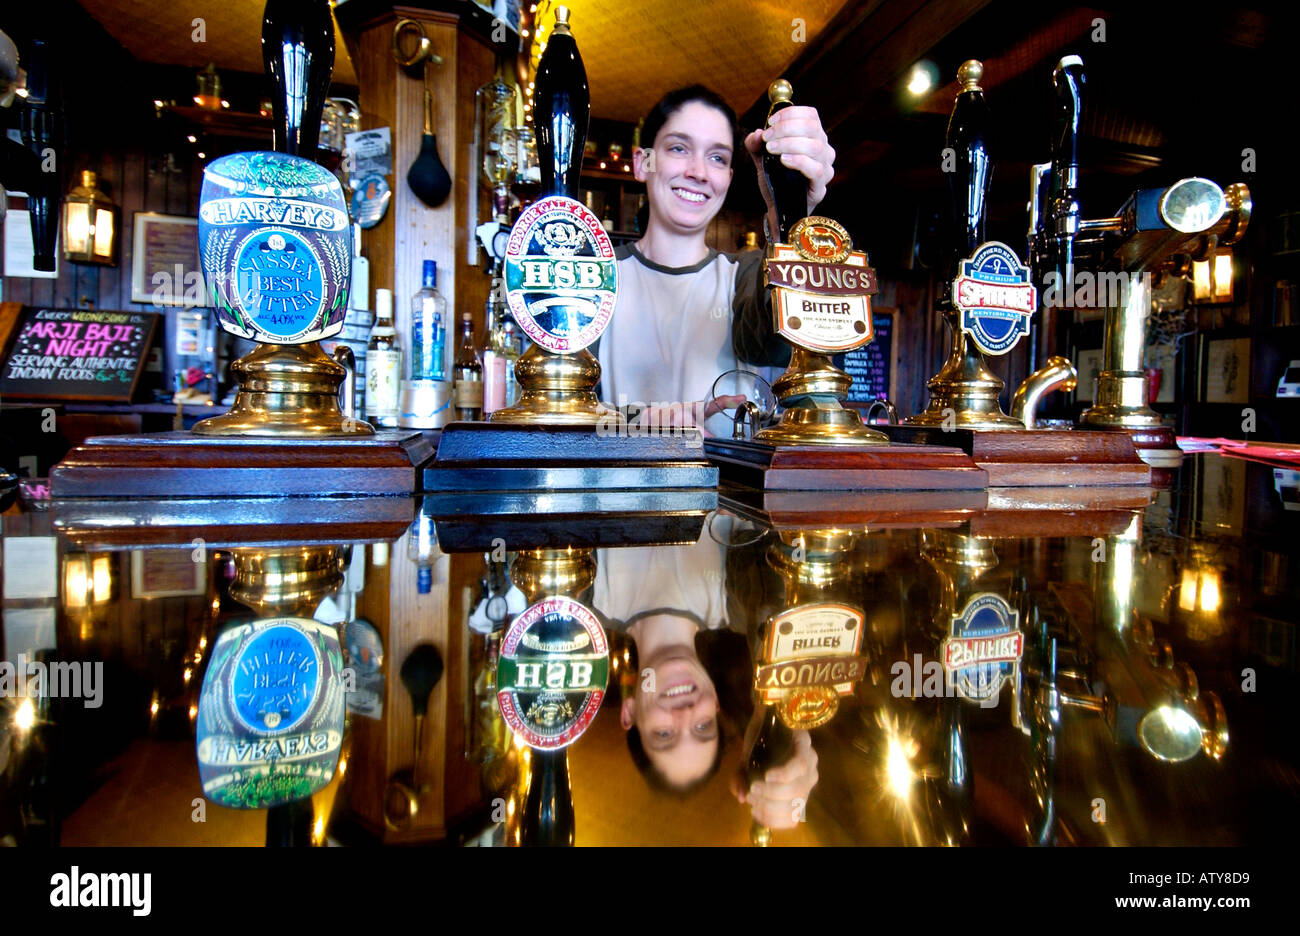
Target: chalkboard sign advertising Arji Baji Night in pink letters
x: 77, y: 354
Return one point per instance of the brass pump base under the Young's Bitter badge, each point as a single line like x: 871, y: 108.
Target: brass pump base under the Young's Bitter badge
x: 812, y: 391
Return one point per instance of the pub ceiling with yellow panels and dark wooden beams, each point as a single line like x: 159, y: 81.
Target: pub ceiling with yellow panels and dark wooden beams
x: 1169, y: 93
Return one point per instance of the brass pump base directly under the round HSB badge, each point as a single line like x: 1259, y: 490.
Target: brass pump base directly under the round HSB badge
x: 556, y: 391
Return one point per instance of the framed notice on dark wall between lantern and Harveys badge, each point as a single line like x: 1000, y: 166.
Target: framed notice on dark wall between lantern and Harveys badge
x: 166, y: 261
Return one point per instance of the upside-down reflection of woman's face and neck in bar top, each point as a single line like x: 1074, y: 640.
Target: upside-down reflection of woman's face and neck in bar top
x: 675, y: 708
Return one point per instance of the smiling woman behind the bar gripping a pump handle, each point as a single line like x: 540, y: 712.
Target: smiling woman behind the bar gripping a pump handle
x: 686, y: 313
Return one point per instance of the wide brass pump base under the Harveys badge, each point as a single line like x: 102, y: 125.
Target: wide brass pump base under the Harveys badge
x: 287, y: 391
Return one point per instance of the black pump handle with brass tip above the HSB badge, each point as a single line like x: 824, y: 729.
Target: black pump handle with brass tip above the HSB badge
x: 562, y: 109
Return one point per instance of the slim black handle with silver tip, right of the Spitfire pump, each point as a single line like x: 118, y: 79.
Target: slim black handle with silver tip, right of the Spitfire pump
x: 1064, y: 213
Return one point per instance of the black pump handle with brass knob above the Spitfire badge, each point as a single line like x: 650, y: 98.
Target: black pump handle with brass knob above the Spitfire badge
x: 970, y: 181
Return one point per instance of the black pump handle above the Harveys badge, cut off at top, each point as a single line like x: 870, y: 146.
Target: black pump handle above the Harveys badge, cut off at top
x: 298, y: 51
